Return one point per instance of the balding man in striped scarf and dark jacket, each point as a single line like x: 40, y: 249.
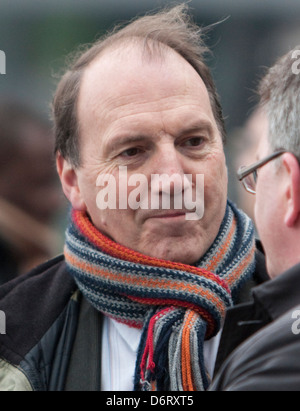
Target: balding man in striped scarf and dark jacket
x: 138, y: 300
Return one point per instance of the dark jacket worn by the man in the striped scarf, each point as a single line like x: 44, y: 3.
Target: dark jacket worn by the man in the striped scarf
x: 53, y: 336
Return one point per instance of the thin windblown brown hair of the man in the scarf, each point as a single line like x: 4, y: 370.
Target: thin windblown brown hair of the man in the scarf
x: 172, y: 28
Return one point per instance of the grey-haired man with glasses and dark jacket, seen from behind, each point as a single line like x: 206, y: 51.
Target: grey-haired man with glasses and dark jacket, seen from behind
x: 270, y: 359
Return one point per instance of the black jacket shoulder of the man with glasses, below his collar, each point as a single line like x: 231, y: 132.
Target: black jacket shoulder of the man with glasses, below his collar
x: 268, y: 361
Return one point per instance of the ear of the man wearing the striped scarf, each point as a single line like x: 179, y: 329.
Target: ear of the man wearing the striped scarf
x: 69, y: 181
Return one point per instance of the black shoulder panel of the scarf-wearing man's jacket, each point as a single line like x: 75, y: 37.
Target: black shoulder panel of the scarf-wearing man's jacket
x: 32, y: 303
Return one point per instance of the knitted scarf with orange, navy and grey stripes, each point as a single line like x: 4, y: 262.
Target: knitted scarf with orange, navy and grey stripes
x: 177, y: 306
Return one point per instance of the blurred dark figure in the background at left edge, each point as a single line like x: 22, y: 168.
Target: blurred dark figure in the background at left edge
x: 29, y: 191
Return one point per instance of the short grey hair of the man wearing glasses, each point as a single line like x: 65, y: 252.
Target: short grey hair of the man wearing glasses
x: 279, y: 93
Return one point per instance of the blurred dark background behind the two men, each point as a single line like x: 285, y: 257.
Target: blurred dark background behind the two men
x: 37, y: 35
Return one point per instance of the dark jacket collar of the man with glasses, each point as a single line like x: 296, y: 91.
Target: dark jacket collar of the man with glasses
x: 280, y: 294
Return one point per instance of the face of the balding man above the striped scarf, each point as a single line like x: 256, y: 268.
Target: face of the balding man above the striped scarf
x: 150, y: 117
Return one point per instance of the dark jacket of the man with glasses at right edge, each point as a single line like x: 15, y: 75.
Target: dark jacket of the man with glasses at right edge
x: 270, y: 359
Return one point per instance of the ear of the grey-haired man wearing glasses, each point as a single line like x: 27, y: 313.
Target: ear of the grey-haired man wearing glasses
x: 292, y: 190
